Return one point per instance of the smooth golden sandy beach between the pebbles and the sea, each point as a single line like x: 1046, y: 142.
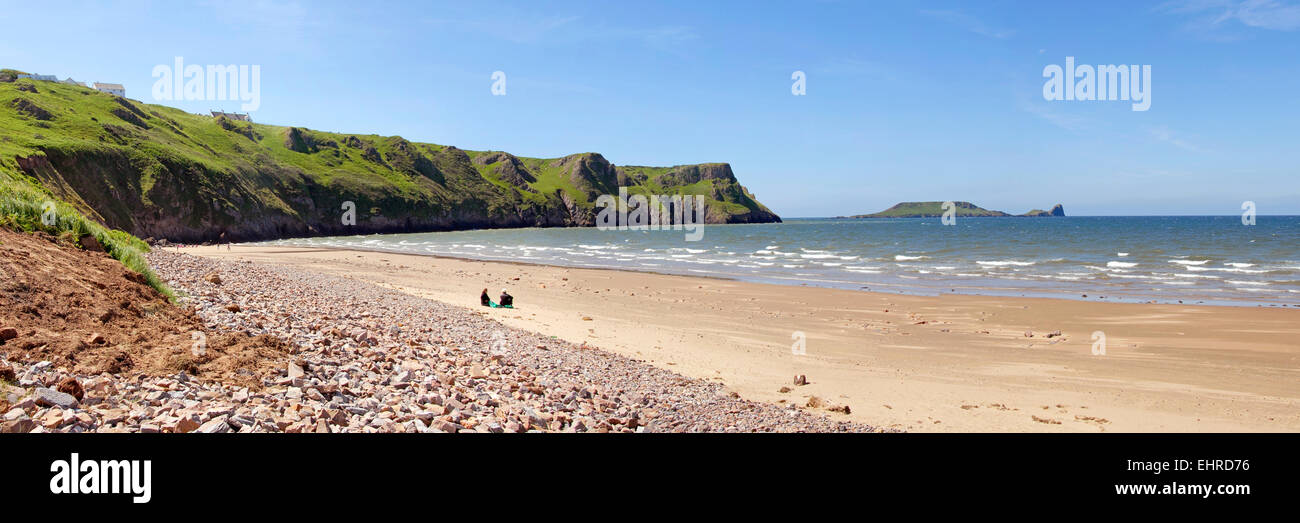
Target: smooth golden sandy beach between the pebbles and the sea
x: 950, y: 364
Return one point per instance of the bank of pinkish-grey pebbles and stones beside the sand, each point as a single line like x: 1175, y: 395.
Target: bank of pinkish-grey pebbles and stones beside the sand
x: 362, y: 358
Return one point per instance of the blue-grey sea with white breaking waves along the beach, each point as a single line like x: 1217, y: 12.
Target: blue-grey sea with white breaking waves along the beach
x: 1165, y: 260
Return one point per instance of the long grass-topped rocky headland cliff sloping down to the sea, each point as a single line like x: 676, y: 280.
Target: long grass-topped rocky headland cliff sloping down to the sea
x: 163, y: 174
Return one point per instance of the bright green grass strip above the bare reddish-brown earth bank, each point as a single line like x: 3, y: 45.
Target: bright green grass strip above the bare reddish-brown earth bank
x: 23, y: 206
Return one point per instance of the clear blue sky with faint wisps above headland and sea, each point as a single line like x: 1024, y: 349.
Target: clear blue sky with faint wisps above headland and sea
x: 908, y: 101
